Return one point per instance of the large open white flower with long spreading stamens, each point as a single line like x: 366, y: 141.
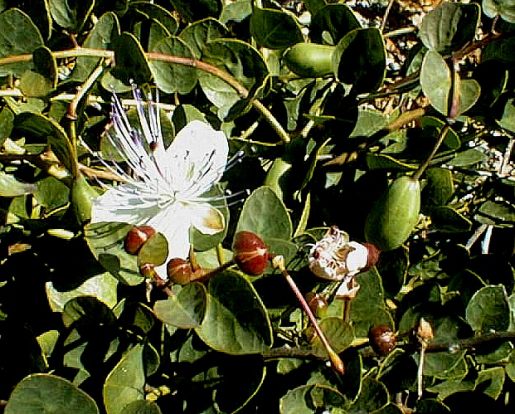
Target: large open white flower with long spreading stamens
x: 166, y: 186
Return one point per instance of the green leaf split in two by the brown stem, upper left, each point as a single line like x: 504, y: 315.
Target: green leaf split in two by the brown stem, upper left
x: 100, y: 37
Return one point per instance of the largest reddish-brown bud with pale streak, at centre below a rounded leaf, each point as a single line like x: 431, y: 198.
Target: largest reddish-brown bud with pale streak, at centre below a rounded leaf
x: 250, y: 253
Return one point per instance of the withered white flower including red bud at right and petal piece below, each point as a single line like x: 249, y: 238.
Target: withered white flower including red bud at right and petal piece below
x: 338, y: 259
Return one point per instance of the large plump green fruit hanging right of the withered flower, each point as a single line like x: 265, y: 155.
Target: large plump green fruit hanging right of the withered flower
x: 394, y: 215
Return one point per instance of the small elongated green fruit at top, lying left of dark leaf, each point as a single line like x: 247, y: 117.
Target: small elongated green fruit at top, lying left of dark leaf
x: 310, y: 60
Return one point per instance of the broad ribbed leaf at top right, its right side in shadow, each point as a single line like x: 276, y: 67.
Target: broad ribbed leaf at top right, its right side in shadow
x: 449, y: 27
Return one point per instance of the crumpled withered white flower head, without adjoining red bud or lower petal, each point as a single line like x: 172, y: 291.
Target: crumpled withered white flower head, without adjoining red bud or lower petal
x: 336, y: 258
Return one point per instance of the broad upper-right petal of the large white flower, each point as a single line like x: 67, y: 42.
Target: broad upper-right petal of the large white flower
x: 196, y: 160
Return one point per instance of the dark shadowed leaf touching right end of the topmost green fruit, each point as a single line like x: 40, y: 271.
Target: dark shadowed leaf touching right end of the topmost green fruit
x: 360, y: 60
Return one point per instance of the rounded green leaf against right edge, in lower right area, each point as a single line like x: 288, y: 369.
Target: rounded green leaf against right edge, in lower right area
x: 488, y: 310
